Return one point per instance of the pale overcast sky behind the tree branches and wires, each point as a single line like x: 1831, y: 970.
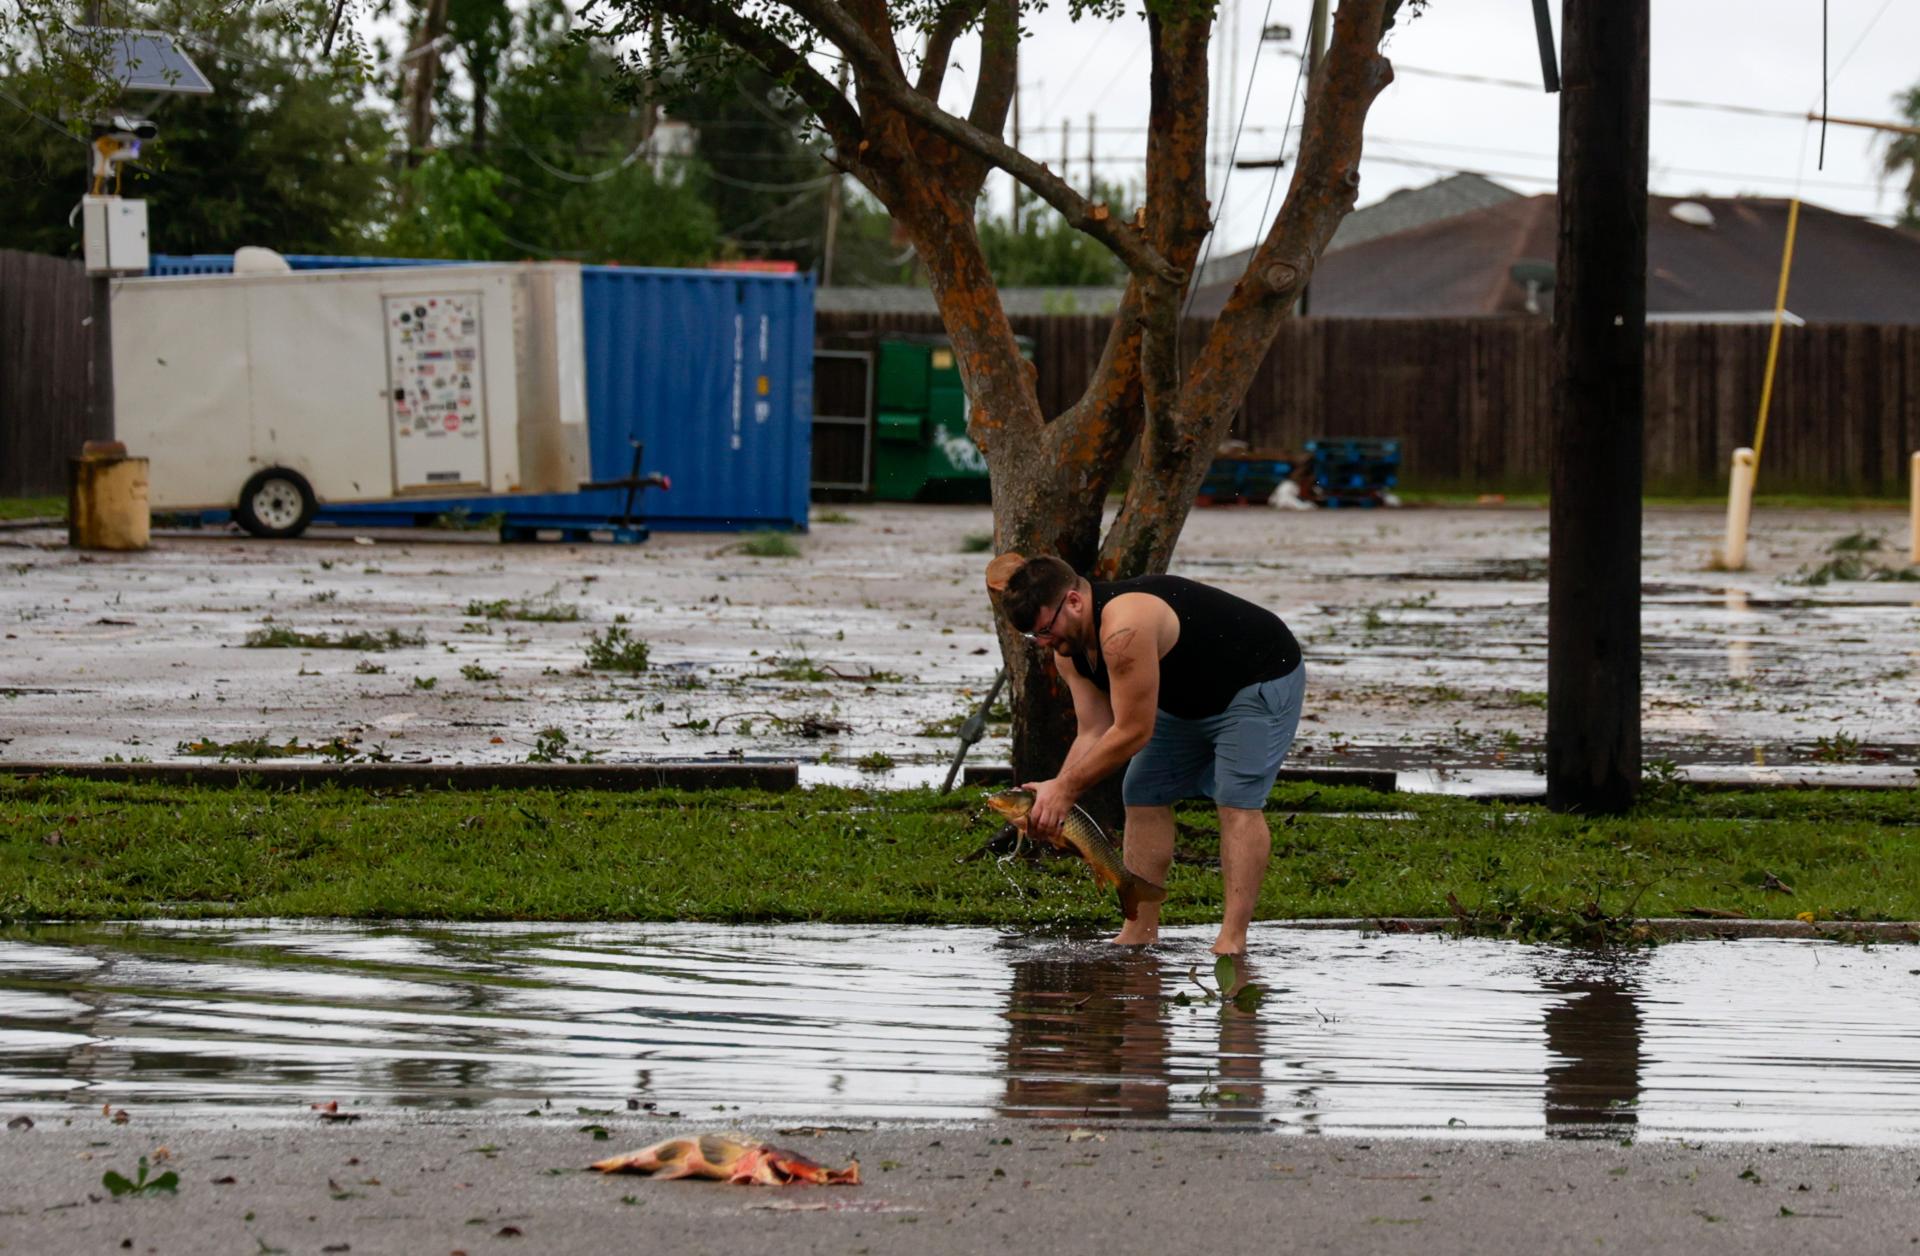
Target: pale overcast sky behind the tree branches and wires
x: 1762, y: 55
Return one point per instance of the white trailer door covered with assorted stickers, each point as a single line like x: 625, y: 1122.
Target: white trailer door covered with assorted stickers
x: 437, y: 391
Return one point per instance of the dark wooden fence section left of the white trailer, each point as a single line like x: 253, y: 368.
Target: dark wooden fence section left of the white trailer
x: 43, y: 372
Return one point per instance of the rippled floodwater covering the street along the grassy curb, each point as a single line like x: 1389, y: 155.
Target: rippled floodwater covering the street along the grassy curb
x: 1358, y: 1034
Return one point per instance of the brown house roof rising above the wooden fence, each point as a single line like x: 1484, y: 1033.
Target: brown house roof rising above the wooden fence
x: 1846, y: 270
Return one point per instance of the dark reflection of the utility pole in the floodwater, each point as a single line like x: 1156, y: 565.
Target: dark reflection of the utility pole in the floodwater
x: 1595, y: 1038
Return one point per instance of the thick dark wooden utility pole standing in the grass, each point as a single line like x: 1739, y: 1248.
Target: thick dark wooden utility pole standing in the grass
x: 1600, y: 312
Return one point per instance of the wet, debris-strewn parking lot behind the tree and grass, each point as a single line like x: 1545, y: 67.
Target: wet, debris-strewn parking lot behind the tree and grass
x: 1426, y: 637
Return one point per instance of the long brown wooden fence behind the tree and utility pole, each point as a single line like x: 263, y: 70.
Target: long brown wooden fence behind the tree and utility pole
x: 1472, y: 399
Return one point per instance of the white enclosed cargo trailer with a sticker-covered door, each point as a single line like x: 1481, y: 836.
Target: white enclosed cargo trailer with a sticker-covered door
x: 270, y: 395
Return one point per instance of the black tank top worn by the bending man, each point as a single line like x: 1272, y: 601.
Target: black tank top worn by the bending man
x: 1226, y: 644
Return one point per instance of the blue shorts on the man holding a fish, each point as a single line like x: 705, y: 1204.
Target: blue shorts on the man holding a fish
x: 1230, y: 758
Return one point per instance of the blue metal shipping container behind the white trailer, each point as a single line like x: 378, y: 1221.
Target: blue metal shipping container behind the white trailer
x: 709, y: 370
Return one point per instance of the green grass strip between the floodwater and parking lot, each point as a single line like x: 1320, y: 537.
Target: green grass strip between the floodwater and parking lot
x: 99, y: 850
